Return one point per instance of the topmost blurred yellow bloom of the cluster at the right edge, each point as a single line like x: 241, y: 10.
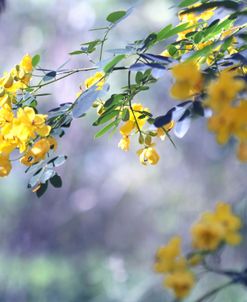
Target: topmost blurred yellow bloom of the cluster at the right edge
x: 219, y: 94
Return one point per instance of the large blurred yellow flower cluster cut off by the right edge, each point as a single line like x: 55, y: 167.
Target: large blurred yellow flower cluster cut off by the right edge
x: 229, y: 114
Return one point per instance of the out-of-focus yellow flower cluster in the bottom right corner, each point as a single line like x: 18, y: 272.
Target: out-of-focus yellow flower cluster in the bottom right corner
x: 213, y: 230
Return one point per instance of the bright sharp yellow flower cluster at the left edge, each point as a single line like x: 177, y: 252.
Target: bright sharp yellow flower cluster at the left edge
x: 18, y: 130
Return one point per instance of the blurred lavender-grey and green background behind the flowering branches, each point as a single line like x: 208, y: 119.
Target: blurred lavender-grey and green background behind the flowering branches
x: 95, y: 239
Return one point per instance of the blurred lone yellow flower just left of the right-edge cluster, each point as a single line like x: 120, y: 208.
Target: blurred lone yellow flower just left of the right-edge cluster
x: 188, y: 80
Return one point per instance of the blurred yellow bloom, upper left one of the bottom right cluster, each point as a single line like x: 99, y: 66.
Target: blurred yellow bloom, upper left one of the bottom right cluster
x: 168, y: 257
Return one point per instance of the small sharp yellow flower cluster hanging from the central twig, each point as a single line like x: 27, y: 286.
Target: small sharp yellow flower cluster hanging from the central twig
x: 137, y: 120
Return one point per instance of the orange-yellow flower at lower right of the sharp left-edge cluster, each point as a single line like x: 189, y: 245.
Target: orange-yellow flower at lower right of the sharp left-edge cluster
x: 36, y: 153
